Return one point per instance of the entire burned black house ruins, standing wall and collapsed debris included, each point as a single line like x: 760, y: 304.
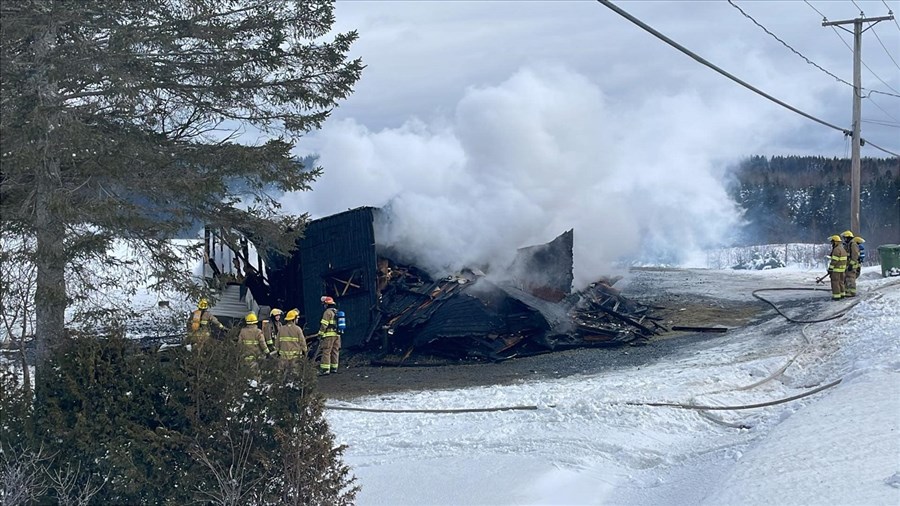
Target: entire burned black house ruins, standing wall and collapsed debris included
x: 401, y: 310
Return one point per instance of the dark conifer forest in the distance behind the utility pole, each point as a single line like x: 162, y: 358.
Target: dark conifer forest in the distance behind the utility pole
x: 806, y: 199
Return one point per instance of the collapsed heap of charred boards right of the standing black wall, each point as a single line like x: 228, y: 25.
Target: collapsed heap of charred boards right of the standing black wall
x: 470, y: 317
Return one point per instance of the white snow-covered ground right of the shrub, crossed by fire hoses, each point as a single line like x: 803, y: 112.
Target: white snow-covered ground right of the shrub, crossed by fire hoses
x: 593, y: 439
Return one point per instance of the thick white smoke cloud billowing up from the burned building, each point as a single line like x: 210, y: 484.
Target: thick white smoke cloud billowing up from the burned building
x: 521, y: 162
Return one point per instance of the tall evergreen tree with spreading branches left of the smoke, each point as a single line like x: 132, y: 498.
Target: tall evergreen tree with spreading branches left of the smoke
x: 120, y: 118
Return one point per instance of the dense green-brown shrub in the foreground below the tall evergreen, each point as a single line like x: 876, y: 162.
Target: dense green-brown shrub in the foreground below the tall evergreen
x: 176, y: 427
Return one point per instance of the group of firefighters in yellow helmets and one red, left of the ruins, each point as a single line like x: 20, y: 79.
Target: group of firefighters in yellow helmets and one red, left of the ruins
x: 279, y: 339
